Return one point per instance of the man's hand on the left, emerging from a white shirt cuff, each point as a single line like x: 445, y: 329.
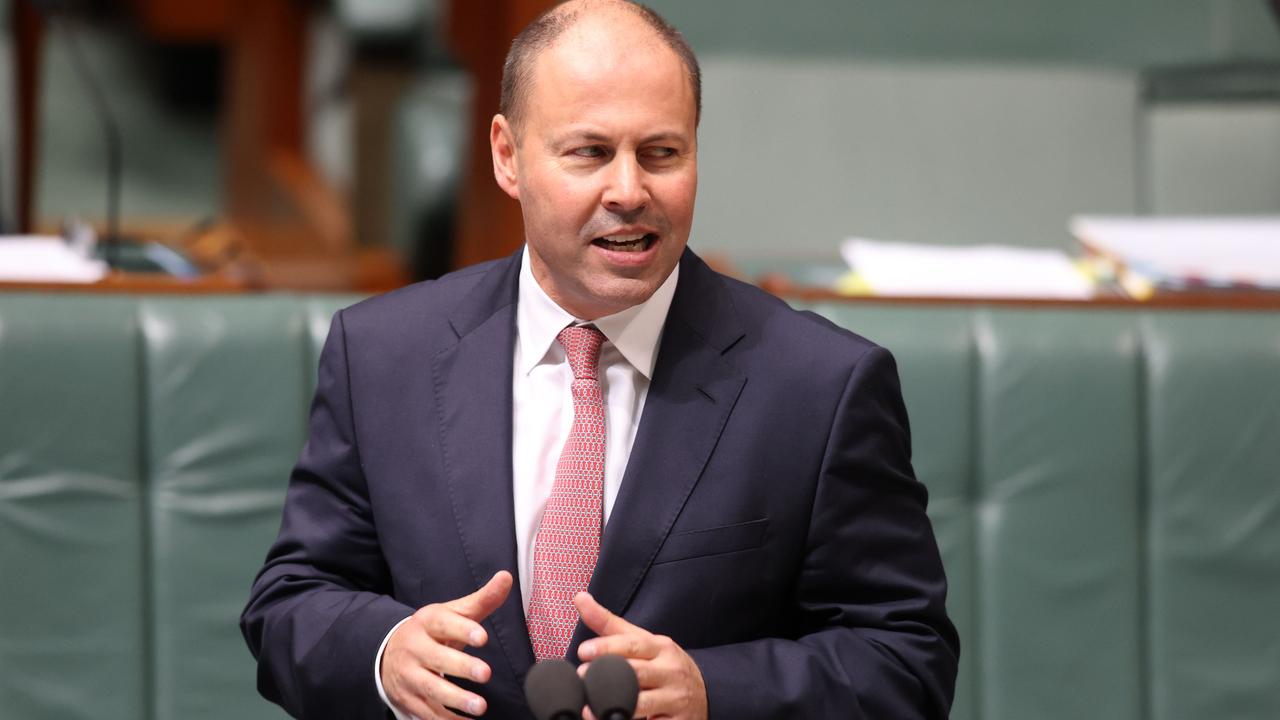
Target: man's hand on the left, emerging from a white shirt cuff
x: 429, y: 645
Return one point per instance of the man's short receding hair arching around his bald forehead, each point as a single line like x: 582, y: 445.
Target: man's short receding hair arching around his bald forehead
x: 552, y: 26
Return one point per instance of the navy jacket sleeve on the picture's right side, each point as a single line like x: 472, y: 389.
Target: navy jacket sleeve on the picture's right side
x: 870, y: 635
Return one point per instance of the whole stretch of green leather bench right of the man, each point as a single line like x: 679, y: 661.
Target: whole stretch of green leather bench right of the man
x: 1107, y: 490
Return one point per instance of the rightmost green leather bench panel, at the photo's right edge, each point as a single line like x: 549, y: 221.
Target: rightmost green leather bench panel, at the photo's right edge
x: 1214, y: 502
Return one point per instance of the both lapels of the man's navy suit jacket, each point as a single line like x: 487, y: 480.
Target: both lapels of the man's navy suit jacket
x: 689, y: 402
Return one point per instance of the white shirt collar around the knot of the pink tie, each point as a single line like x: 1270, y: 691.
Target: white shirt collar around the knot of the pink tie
x: 636, y: 331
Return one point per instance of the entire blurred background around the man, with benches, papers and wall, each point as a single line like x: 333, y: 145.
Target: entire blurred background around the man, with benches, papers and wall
x: 1075, y: 206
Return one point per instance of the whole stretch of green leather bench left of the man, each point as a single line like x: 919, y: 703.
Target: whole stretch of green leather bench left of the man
x: 144, y: 453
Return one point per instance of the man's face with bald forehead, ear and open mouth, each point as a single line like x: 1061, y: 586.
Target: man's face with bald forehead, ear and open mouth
x: 606, y: 166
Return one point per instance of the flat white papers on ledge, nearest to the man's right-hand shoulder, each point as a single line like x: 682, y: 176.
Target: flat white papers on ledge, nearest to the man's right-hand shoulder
x: 981, y: 271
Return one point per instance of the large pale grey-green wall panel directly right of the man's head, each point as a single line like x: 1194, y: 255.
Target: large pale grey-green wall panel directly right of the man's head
x: 798, y: 154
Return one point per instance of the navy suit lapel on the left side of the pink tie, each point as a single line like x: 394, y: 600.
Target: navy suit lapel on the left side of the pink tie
x: 473, y: 394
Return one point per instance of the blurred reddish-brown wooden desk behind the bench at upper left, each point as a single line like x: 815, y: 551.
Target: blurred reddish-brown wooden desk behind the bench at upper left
x: 294, y: 229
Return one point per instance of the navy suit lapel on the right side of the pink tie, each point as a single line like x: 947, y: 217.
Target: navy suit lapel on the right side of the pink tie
x: 691, y: 399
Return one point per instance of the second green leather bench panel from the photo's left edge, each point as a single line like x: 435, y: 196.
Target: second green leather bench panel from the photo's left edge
x: 226, y: 398
